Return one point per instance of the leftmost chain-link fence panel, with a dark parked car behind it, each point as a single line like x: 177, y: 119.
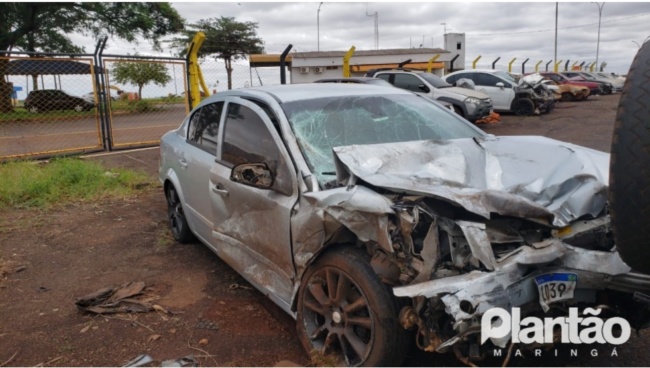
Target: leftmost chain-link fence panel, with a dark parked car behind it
x: 50, y: 109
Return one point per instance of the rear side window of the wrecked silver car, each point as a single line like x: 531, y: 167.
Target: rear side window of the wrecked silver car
x: 204, y: 127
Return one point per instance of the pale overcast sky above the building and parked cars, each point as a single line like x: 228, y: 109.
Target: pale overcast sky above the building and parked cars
x: 507, y: 30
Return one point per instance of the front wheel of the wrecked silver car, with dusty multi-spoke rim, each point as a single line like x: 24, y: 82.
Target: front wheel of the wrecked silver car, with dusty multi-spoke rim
x: 346, y: 312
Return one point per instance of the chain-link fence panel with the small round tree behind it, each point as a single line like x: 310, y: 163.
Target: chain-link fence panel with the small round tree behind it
x: 146, y: 99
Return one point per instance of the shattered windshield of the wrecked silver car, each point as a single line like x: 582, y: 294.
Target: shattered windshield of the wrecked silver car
x: 323, y: 123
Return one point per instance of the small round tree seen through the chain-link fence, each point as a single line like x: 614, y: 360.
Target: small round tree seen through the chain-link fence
x: 141, y: 73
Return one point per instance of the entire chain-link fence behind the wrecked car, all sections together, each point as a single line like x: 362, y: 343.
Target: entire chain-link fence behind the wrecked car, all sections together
x: 61, y: 104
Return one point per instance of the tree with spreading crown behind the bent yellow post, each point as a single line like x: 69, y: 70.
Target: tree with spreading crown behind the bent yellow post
x: 225, y: 38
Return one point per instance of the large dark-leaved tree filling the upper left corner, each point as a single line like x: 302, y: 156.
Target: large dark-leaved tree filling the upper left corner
x: 46, y: 27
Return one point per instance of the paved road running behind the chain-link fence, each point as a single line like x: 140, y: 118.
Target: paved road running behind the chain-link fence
x: 43, y: 137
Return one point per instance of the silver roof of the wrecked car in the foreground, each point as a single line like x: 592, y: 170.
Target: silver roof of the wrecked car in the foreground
x: 307, y: 91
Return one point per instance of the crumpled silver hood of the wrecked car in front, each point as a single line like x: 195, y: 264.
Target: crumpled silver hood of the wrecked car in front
x: 528, y: 176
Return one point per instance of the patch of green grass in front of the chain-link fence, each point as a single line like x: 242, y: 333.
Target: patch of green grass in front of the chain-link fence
x: 65, y: 180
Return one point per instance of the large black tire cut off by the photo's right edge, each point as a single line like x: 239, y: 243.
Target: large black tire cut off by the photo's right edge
x: 629, y: 178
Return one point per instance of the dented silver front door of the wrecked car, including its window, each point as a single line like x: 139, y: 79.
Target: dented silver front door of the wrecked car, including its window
x: 251, y: 229
